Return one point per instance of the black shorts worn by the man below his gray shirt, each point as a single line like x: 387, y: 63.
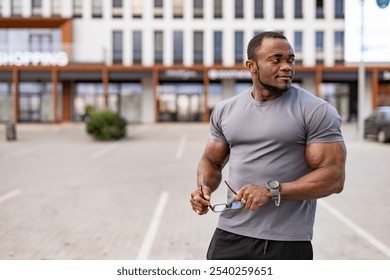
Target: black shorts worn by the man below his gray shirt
x: 225, y: 245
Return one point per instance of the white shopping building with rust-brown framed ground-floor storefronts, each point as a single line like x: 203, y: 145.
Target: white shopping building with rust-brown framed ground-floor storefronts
x: 165, y: 60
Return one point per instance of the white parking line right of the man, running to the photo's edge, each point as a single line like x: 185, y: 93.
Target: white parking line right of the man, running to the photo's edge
x: 358, y: 230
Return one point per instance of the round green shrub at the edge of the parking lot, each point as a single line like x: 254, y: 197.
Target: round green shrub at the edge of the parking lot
x: 106, y: 125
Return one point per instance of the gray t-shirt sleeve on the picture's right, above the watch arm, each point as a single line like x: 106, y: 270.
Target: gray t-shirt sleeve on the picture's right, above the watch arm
x: 324, y: 125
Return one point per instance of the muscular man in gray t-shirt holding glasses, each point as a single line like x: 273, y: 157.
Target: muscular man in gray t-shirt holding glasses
x: 285, y: 150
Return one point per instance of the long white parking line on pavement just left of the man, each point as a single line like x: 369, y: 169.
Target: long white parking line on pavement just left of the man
x: 146, y: 246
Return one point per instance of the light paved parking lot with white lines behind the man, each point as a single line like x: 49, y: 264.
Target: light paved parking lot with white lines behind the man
x: 66, y: 196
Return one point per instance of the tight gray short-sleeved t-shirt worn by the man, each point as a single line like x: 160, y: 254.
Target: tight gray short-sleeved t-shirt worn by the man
x: 267, y: 141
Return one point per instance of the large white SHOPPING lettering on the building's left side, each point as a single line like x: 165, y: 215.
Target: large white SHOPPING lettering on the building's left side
x: 33, y: 58
